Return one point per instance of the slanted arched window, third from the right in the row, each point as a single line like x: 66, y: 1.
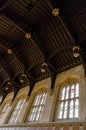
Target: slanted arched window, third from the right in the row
x: 17, y: 110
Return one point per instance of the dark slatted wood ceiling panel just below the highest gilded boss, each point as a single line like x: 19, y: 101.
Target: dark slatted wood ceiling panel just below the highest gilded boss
x: 52, y: 38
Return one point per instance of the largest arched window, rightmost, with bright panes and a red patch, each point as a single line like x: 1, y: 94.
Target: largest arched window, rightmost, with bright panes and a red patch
x: 68, y: 106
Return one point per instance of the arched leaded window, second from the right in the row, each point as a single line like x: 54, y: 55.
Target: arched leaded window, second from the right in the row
x: 37, y: 106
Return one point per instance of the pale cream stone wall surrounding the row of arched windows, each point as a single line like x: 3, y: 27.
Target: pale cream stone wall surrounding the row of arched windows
x: 51, y: 102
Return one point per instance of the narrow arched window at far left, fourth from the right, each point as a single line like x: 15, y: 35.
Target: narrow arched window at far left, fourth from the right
x: 4, y: 110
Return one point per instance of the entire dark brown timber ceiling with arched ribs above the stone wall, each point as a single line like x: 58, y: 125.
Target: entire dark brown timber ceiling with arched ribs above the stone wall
x: 51, y: 42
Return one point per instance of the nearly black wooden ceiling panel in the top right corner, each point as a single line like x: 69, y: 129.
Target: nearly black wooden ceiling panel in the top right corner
x: 76, y: 17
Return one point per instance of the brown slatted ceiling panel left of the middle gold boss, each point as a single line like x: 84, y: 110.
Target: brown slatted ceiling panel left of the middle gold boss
x: 10, y: 29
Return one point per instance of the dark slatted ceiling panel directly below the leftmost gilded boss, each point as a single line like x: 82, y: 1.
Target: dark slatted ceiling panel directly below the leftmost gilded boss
x: 12, y: 65
